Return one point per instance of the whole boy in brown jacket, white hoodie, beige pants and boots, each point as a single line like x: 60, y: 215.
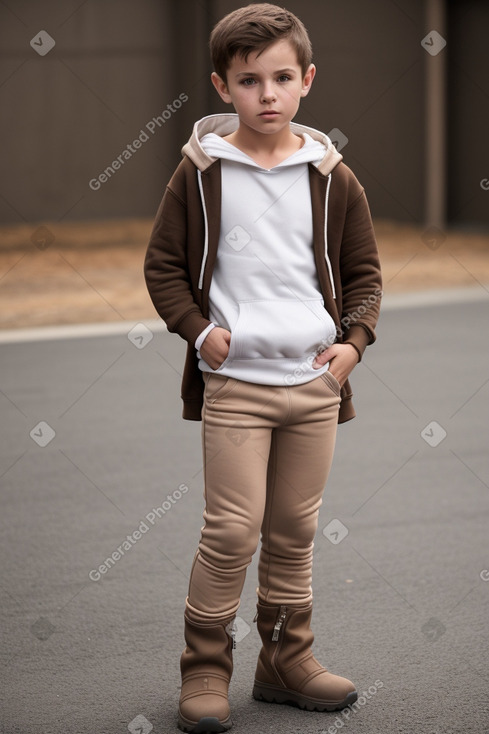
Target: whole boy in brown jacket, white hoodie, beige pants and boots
x: 263, y: 258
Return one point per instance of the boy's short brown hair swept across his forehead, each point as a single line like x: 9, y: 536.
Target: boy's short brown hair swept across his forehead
x: 254, y: 28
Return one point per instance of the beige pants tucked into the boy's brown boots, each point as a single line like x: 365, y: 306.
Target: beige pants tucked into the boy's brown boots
x: 267, y: 454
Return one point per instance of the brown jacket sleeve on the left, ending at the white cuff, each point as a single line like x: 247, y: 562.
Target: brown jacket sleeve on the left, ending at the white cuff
x: 166, y: 268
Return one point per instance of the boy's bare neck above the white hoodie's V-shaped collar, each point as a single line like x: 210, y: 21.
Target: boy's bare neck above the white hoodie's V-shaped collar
x: 266, y: 150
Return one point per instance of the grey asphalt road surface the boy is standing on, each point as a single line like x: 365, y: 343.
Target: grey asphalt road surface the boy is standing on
x: 93, y: 451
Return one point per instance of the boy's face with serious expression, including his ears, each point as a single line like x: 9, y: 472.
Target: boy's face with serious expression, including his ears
x: 266, y: 90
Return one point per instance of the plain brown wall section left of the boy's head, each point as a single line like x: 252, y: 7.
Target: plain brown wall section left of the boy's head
x: 69, y: 114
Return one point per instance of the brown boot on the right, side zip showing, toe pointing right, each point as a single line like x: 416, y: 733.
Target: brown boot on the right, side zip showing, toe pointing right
x: 287, y: 671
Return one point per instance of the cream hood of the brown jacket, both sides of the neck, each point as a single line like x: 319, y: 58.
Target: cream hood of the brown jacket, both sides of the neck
x: 228, y: 123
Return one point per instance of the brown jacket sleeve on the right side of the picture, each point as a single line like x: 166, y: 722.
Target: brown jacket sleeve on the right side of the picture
x: 360, y: 277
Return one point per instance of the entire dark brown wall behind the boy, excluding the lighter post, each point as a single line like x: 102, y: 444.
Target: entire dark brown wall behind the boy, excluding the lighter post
x: 116, y: 65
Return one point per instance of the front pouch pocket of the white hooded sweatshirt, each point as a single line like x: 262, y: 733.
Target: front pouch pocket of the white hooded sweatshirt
x: 280, y: 329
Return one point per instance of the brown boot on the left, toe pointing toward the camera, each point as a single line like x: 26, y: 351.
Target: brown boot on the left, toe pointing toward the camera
x: 206, y: 666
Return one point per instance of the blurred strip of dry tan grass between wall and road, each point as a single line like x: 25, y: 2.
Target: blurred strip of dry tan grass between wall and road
x: 92, y: 271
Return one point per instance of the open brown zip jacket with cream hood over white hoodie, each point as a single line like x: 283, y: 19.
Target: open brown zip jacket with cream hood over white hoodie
x: 183, y: 246
